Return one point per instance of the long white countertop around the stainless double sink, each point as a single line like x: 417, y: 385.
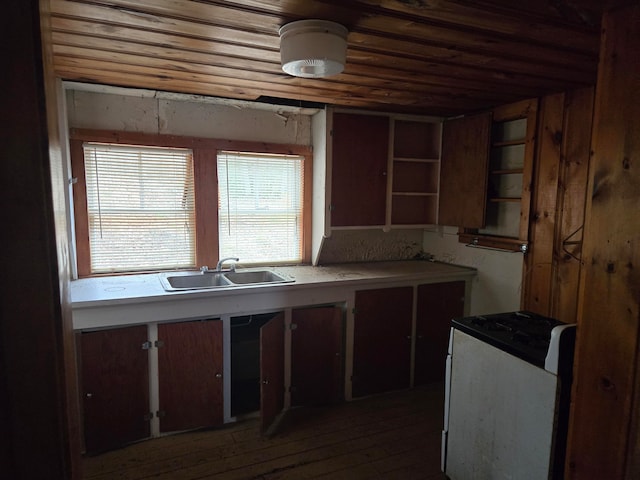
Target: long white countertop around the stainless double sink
x: 133, y: 299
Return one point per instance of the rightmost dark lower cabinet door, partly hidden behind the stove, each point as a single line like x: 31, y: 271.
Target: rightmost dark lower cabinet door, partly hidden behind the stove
x: 438, y: 303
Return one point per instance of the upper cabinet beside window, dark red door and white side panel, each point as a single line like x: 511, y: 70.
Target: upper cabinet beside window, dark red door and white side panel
x: 374, y: 170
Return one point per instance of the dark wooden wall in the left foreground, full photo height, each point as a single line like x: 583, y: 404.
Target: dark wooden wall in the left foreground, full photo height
x: 36, y: 359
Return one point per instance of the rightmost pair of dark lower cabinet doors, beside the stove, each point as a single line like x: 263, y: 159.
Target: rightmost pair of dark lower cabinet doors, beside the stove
x: 401, y: 334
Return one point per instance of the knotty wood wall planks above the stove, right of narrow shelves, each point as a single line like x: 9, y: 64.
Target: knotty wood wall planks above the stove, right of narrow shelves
x: 552, y: 266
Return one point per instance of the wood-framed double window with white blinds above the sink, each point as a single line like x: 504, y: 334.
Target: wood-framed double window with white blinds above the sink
x: 152, y: 202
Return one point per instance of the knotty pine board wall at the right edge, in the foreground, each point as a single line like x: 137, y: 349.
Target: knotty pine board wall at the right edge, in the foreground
x: 605, y: 431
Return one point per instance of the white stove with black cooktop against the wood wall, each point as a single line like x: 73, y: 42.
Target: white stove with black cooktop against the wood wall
x: 507, y: 397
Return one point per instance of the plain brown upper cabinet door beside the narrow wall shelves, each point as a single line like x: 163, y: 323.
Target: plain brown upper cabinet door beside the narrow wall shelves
x: 463, y: 171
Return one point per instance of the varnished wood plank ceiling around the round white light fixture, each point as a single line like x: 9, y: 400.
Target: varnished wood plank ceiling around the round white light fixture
x: 436, y: 57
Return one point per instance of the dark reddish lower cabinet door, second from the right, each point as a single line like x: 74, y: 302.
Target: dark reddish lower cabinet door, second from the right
x: 382, y: 340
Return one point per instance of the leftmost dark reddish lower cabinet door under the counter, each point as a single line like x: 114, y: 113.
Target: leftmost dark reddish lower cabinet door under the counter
x: 115, y: 387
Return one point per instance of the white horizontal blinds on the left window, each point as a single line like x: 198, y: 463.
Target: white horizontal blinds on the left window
x: 141, y: 210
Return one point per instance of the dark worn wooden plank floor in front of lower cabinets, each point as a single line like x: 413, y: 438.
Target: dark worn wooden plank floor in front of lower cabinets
x: 391, y: 436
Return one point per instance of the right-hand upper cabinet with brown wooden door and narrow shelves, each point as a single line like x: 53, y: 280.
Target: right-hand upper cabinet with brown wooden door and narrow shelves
x: 487, y: 168
